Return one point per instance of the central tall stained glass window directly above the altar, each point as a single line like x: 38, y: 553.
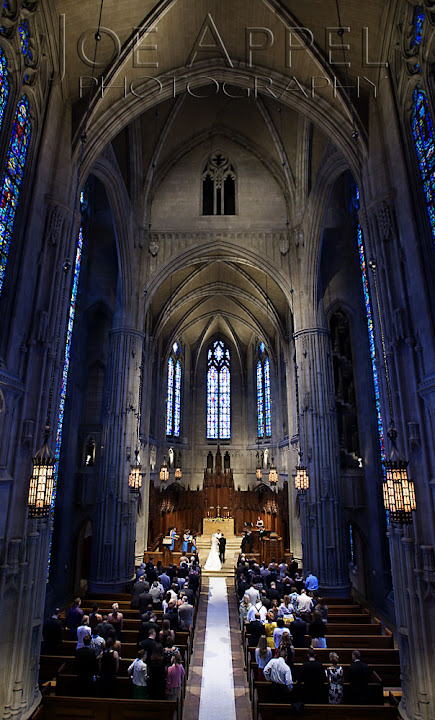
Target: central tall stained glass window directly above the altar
x: 218, y: 392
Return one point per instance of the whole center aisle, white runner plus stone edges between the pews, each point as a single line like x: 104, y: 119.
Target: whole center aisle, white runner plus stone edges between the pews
x: 217, y: 687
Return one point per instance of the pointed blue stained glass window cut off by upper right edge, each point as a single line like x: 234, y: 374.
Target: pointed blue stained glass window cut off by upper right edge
x: 422, y: 130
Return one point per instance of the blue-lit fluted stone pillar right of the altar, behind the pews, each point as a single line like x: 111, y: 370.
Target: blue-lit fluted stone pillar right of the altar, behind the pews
x: 322, y: 525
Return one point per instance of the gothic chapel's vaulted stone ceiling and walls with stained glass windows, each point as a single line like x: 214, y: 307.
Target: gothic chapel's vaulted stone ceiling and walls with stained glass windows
x: 217, y: 226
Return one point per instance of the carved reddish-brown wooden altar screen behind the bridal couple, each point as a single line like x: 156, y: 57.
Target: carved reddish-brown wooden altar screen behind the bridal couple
x: 183, y: 508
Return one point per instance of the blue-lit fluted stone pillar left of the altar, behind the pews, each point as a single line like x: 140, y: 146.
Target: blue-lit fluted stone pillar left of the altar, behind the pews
x: 113, y: 551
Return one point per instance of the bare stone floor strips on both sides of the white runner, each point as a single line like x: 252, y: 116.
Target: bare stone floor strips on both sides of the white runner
x: 193, y: 690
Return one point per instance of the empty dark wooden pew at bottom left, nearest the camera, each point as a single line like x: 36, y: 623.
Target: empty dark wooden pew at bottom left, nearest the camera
x: 68, y: 707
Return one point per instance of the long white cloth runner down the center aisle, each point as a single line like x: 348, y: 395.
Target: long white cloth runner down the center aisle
x: 217, y: 686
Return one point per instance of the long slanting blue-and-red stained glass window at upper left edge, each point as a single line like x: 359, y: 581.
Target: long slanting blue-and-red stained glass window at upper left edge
x: 12, y: 180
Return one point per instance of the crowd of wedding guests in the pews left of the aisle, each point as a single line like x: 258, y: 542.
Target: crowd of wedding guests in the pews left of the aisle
x: 98, y: 667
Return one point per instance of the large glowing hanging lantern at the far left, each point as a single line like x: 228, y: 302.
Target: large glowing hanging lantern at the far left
x: 42, y: 481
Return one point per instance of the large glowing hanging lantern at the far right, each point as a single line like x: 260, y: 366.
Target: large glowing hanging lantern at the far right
x: 399, y: 492
